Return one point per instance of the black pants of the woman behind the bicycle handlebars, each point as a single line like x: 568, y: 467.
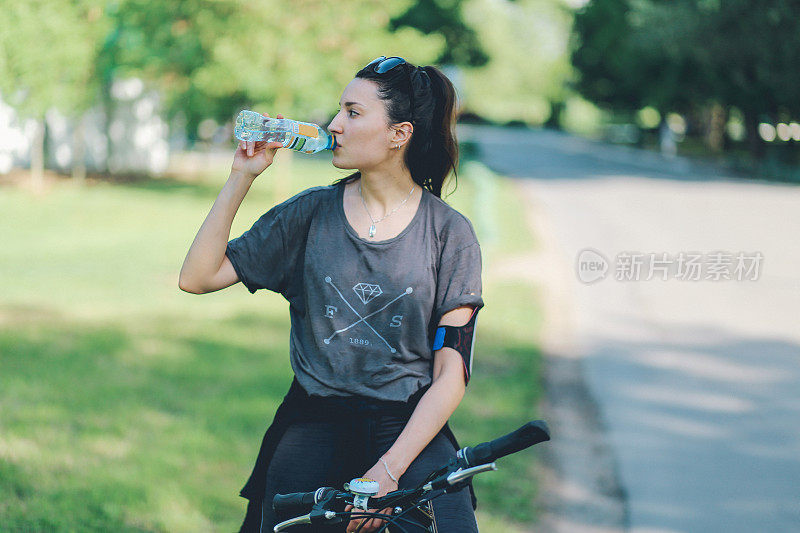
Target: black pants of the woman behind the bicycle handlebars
x: 307, y: 458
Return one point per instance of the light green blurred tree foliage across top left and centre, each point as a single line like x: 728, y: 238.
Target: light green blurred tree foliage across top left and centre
x: 210, y: 58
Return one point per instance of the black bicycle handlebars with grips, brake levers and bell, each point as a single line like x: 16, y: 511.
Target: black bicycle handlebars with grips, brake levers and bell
x: 326, y: 503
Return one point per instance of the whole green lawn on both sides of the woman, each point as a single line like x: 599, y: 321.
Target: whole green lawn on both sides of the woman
x: 128, y: 405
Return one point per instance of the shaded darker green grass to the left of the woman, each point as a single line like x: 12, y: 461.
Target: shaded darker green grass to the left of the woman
x: 119, y: 428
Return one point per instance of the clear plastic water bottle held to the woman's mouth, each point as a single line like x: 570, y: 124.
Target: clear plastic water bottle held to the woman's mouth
x: 300, y: 136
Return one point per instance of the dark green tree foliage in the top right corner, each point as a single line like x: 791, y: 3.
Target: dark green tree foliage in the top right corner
x: 682, y: 54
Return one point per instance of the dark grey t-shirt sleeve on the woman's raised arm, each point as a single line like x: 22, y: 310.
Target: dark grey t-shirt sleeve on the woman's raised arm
x: 263, y: 256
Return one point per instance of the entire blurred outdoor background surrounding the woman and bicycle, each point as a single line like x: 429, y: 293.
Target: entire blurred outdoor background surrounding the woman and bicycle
x: 615, y: 125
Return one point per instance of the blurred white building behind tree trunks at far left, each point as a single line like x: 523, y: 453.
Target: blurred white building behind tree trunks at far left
x: 138, y: 135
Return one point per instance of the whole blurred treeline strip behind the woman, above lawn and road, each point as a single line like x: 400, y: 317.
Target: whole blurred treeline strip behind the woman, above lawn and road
x: 120, y: 87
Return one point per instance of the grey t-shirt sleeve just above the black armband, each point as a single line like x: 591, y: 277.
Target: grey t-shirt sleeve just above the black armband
x: 459, y: 274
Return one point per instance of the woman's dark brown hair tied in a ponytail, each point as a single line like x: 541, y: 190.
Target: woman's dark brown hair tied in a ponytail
x: 433, y: 150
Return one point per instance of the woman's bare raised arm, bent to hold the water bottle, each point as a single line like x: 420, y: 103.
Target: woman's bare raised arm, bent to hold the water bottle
x: 206, y: 267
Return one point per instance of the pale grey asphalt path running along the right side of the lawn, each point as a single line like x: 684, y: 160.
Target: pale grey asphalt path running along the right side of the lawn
x: 695, y: 382
